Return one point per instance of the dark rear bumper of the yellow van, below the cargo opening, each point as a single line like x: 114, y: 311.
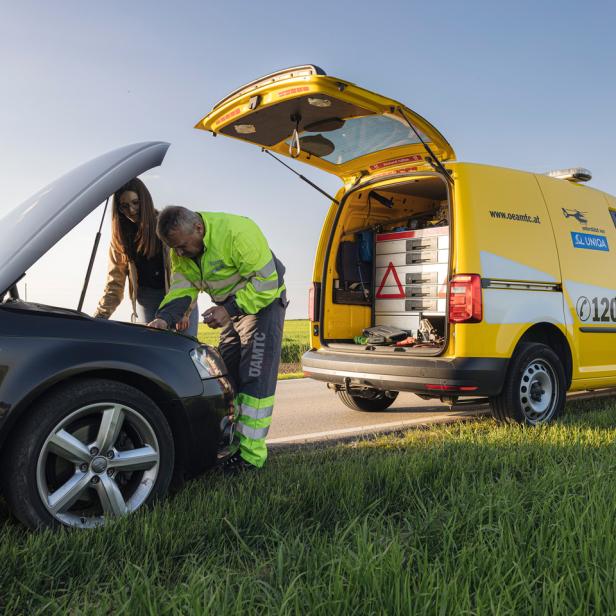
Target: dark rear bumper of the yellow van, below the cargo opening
x: 485, y: 375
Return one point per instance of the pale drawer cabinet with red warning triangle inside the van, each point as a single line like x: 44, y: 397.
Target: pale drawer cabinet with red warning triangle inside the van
x: 410, y: 276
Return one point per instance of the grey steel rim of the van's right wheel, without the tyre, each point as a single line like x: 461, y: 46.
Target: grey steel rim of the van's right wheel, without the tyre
x: 538, y: 391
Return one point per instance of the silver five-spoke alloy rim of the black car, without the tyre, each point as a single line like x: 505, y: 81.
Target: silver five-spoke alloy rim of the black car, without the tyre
x: 100, y: 461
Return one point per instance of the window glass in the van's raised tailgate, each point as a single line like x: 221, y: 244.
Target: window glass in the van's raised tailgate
x: 358, y: 137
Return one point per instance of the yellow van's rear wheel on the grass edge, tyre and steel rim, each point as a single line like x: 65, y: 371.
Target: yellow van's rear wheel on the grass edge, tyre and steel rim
x: 535, y: 389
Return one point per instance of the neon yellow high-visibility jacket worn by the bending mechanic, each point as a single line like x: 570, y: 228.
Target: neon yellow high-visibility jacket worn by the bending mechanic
x: 237, y: 269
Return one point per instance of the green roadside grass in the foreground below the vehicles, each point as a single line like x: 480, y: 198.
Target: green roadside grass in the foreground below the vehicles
x: 464, y: 519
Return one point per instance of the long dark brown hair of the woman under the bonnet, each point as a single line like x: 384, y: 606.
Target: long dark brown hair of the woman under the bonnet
x: 129, y: 238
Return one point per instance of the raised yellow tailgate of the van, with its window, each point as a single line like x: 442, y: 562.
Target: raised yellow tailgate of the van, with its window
x: 326, y: 122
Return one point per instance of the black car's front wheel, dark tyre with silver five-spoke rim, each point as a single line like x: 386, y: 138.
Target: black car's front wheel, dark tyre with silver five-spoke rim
x: 49, y: 480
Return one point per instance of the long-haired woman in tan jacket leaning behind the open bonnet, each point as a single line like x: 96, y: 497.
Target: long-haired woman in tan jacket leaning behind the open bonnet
x: 136, y: 253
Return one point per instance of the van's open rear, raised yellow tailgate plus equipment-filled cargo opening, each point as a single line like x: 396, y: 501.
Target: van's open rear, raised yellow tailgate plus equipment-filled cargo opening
x: 389, y: 245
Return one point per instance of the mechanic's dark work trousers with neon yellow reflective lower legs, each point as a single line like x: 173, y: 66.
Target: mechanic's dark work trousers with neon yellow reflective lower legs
x: 250, y: 345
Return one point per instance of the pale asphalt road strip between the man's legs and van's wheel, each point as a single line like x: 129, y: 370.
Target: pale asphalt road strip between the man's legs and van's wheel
x: 305, y: 411
